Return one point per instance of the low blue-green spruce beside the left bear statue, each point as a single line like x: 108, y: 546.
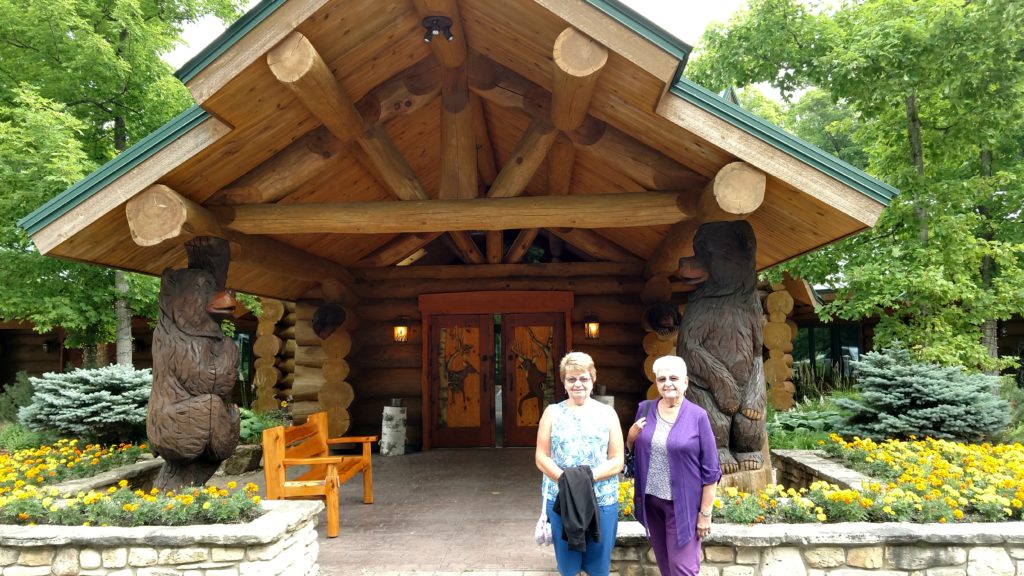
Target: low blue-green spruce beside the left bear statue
x: 105, y: 405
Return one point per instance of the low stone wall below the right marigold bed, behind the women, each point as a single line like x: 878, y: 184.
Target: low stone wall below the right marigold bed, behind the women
x: 842, y: 550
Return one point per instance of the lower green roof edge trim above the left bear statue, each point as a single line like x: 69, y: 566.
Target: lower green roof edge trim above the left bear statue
x: 114, y: 170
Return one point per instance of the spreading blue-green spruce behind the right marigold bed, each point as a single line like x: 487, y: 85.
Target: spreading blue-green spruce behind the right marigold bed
x: 901, y: 398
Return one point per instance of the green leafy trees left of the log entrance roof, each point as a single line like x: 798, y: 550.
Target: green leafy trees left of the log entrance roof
x: 80, y: 80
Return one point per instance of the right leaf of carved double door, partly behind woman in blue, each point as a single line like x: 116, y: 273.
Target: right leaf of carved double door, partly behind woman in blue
x: 533, y: 345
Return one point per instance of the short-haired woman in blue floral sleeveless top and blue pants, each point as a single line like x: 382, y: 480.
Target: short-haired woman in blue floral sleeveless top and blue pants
x: 581, y: 432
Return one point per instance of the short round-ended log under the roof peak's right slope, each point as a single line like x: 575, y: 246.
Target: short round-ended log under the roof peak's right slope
x: 578, y: 63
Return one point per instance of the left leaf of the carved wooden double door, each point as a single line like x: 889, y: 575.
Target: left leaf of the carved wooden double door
x: 460, y: 366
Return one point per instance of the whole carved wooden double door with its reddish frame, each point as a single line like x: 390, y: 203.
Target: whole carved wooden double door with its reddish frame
x: 491, y: 376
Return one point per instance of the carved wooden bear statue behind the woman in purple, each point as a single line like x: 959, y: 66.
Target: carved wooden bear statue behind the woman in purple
x: 721, y: 339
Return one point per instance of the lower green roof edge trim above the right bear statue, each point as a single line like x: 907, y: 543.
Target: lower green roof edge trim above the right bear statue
x: 785, y: 142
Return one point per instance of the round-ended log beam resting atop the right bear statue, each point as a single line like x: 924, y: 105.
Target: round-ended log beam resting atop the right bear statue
x: 736, y: 192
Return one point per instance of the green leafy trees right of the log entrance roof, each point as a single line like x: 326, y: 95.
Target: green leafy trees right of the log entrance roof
x: 928, y: 97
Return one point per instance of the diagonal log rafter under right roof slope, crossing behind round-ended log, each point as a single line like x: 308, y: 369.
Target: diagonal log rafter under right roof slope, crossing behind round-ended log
x: 647, y: 167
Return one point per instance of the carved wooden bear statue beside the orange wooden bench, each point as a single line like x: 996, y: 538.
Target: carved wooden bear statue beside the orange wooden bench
x: 192, y: 423
